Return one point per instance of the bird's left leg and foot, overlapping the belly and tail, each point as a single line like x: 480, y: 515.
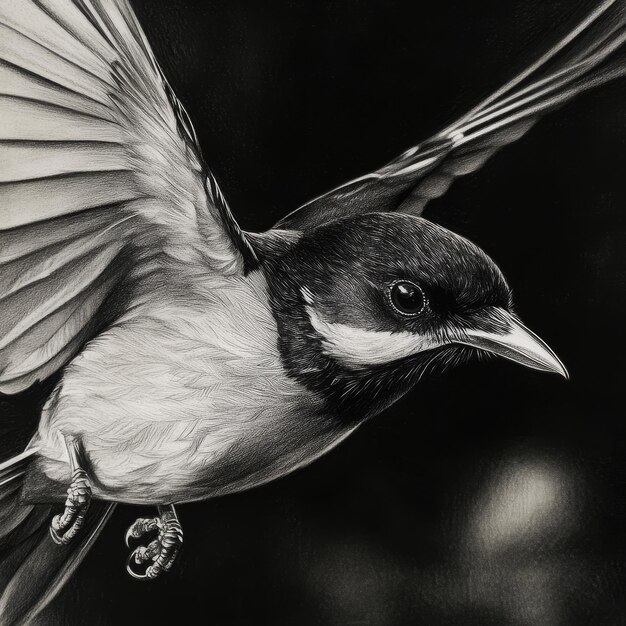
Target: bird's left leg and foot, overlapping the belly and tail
x: 64, y: 527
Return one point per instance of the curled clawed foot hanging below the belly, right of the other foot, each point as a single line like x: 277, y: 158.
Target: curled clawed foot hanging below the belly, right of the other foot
x: 159, y: 553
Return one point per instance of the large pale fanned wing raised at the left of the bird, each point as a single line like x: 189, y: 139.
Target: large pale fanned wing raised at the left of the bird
x: 100, y: 172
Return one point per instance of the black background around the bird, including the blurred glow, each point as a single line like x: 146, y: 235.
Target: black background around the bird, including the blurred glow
x: 491, y: 494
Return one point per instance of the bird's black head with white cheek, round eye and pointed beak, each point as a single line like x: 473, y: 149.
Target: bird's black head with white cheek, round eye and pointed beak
x: 366, y: 304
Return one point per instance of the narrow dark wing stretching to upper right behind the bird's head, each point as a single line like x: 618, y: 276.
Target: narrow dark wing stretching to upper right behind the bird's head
x: 589, y: 55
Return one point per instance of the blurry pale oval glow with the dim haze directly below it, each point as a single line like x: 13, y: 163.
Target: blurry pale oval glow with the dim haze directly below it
x: 513, y: 549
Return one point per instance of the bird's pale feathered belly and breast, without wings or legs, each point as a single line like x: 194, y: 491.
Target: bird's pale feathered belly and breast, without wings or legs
x: 182, y: 408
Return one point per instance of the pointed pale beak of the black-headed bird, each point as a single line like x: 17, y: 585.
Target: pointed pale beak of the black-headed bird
x: 516, y: 343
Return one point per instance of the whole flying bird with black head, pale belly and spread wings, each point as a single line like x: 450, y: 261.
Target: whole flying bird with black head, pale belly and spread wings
x: 192, y: 358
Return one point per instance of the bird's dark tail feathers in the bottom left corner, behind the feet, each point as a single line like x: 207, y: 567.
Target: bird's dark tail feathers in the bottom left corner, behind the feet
x: 33, y: 568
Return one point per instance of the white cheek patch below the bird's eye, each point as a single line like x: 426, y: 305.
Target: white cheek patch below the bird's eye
x: 358, y: 347
